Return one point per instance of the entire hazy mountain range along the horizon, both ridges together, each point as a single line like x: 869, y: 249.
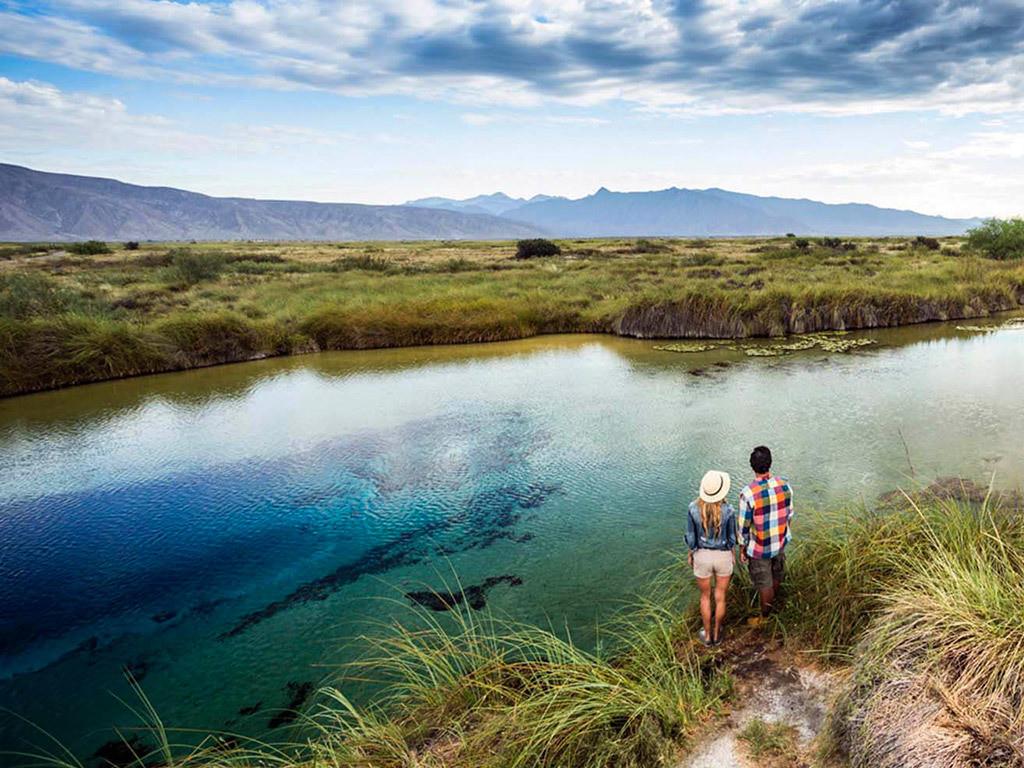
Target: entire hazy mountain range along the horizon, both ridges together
x: 41, y: 206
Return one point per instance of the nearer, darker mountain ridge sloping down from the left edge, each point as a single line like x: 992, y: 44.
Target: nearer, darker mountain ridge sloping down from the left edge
x: 40, y: 206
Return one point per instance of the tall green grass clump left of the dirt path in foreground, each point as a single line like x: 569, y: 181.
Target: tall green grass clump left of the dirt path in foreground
x: 488, y: 693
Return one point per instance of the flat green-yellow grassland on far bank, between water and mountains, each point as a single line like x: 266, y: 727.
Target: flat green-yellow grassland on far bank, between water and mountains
x: 69, y: 319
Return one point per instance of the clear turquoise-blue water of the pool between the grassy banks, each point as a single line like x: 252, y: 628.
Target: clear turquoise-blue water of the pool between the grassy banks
x: 226, y: 533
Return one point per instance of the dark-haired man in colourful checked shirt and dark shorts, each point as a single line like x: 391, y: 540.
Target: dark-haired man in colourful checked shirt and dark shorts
x: 765, y: 513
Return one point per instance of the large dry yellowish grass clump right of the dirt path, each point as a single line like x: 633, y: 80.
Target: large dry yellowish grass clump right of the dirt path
x: 938, y: 673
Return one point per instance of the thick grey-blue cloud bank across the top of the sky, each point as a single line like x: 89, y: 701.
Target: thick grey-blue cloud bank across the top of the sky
x: 674, y: 57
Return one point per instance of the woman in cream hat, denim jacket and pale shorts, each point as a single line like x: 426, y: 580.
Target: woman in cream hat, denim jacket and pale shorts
x: 711, y: 535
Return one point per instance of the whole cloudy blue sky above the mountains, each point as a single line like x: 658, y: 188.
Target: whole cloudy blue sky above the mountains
x: 905, y: 104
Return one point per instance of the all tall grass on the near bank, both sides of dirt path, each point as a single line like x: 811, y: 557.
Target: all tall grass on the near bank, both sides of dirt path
x: 920, y: 599
